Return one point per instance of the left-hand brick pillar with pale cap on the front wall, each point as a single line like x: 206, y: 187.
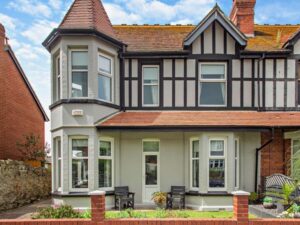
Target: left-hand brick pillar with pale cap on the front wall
x: 97, y: 207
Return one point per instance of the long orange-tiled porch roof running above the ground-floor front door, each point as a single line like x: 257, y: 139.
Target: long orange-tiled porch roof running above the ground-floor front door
x: 140, y: 119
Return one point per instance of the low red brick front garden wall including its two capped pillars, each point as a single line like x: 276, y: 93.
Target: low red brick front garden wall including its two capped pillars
x: 240, y: 216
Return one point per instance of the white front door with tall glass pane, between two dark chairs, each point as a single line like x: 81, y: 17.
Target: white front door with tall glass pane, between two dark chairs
x: 150, y: 169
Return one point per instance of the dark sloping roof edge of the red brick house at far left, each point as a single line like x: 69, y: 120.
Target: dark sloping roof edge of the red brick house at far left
x: 15, y: 60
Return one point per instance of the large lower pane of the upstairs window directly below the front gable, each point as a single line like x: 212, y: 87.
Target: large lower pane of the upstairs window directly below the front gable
x: 212, y: 93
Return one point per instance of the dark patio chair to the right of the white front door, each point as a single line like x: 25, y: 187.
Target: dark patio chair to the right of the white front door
x: 177, y: 195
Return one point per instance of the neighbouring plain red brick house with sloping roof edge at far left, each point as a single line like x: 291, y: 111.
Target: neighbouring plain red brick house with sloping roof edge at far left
x: 21, y: 113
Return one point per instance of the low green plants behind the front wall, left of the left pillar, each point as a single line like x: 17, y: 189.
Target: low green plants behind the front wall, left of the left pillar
x: 63, y: 211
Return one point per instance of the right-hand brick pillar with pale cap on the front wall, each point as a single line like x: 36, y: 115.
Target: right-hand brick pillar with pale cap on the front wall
x: 241, y: 207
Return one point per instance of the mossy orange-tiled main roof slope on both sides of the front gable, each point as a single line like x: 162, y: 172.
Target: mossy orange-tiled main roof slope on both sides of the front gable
x: 155, y: 38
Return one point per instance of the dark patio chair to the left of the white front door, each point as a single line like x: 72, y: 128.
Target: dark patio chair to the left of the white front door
x: 123, y: 198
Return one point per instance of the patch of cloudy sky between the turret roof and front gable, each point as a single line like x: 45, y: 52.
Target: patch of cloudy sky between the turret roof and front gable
x: 157, y: 11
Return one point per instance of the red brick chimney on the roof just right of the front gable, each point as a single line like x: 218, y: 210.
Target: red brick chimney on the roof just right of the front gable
x: 242, y: 15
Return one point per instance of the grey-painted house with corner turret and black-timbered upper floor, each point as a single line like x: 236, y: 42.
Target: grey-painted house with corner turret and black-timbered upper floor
x: 214, y: 107
